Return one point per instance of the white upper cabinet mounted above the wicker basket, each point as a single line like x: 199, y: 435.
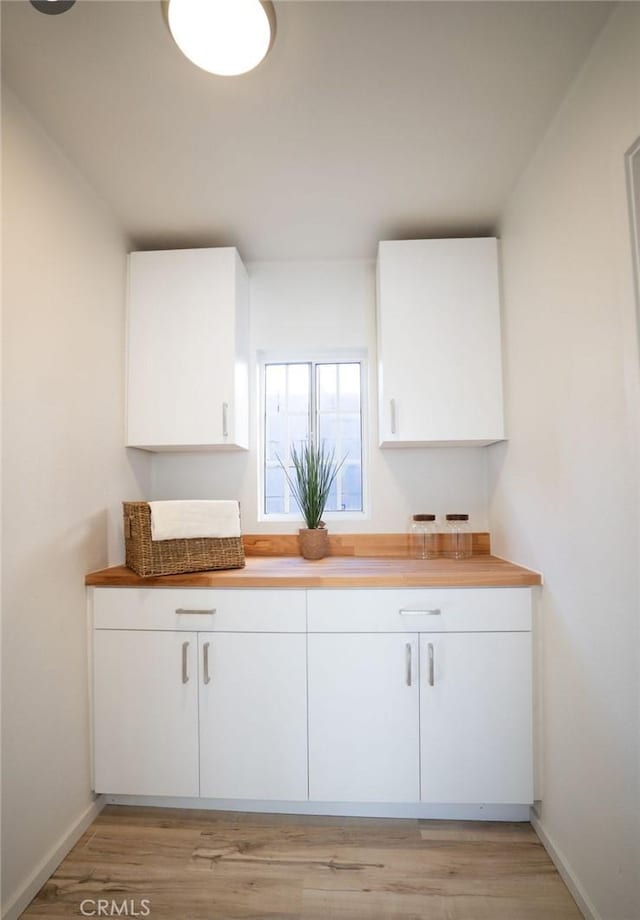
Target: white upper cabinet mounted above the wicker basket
x: 188, y: 345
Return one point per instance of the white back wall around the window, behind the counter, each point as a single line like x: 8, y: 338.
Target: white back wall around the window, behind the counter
x: 301, y: 306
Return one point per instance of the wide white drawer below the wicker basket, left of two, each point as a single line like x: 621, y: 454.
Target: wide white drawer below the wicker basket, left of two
x: 193, y: 609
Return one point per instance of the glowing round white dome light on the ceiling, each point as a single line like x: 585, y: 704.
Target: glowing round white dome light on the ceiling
x: 226, y: 37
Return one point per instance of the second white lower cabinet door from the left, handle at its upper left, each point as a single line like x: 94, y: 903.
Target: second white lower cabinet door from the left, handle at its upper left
x: 253, y: 716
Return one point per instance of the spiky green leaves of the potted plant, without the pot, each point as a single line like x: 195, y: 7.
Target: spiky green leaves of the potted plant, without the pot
x: 314, y: 472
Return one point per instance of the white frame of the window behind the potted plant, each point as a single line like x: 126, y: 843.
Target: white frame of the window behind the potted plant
x: 319, y: 356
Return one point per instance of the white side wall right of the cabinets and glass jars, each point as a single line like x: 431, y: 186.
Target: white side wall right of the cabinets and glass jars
x: 564, y: 491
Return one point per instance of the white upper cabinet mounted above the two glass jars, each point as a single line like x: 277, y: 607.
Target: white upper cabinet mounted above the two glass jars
x: 439, y: 350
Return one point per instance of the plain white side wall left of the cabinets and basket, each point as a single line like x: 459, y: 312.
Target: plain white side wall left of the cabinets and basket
x: 64, y: 474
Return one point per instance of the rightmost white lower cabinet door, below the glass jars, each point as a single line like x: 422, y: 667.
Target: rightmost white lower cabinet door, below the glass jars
x: 476, y: 718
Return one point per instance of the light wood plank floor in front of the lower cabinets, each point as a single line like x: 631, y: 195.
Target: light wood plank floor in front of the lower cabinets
x: 195, y: 865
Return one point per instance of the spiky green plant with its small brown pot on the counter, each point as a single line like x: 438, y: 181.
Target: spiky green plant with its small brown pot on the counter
x: 313, y: 471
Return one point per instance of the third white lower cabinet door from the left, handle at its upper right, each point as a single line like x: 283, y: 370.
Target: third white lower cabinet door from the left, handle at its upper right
x: 363, y: 718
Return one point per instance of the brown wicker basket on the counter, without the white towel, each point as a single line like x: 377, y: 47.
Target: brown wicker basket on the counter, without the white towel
x: 172, y: 557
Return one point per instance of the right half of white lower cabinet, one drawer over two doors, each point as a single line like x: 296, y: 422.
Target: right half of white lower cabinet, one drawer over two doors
x: 449, y: 725
